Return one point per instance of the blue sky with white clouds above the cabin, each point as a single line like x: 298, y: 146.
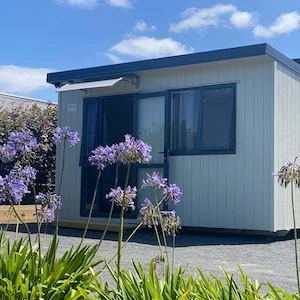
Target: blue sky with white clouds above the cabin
x: 42, y: 36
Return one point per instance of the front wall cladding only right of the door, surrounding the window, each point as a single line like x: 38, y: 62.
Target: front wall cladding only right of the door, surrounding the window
x: 232, y: 191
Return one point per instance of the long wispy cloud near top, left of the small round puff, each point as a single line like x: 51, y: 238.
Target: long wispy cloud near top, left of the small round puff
x: 194, y: 18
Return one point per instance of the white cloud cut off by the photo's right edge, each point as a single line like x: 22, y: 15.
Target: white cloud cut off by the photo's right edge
x: 285, y: 23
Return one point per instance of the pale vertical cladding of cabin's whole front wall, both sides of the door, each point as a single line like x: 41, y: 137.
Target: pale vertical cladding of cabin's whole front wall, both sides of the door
x: 233, y: 191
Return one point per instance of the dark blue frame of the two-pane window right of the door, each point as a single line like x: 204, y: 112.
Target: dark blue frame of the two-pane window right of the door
x: 232, y: 145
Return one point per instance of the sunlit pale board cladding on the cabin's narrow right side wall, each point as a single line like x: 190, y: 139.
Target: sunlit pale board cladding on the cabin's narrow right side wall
x: 286, y: 140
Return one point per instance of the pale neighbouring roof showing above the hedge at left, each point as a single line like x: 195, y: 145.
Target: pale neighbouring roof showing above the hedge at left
x: 15, y: 100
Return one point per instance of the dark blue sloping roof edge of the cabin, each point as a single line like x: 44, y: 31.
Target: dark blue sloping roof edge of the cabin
x: 130, y: 68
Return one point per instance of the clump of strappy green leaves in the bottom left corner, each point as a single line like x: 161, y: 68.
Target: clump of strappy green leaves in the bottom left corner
x: 68, y: 277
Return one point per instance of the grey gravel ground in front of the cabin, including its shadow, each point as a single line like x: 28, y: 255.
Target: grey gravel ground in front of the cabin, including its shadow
x: 267, y: 259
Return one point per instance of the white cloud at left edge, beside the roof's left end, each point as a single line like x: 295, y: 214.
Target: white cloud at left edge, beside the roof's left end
x: 15, y: 79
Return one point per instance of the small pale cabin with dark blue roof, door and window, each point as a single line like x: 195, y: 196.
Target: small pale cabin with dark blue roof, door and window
x: 220, y: 123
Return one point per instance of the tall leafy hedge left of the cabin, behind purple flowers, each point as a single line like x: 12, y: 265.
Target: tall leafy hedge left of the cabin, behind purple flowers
x: 41, y: 122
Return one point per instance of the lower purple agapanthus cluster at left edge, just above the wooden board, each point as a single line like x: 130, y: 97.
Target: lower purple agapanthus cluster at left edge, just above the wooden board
x: 14, y: 186
